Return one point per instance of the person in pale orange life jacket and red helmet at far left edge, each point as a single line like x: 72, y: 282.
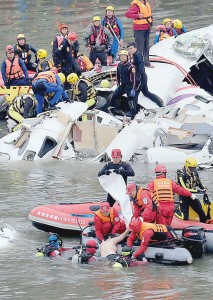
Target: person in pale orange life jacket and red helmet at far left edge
x: 13, y: 69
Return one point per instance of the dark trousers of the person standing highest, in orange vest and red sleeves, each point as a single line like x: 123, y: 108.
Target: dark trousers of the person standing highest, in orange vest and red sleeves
x: 142, y: 40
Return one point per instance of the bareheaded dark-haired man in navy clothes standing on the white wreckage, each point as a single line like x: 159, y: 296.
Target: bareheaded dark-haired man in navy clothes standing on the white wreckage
x: 140, y: 75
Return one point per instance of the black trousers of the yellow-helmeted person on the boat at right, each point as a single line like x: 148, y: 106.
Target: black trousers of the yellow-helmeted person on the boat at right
x: 195, y: 205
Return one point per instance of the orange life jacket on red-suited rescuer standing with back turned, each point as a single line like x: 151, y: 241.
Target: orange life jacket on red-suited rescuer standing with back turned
x: 163, y: 190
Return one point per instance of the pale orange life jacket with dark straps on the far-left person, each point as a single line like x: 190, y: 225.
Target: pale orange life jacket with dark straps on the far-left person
x: 13, y: 69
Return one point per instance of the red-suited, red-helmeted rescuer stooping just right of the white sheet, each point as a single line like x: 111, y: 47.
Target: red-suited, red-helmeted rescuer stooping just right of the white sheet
x: 144, y: 205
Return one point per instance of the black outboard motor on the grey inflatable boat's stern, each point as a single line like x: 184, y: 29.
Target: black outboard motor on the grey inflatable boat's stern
x: 194, y: 240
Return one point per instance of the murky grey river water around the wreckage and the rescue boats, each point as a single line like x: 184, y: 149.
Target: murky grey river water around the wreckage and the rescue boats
x: 24, y: 185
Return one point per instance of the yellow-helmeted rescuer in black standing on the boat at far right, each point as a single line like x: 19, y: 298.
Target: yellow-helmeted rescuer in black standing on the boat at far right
x: 189, y: 179
